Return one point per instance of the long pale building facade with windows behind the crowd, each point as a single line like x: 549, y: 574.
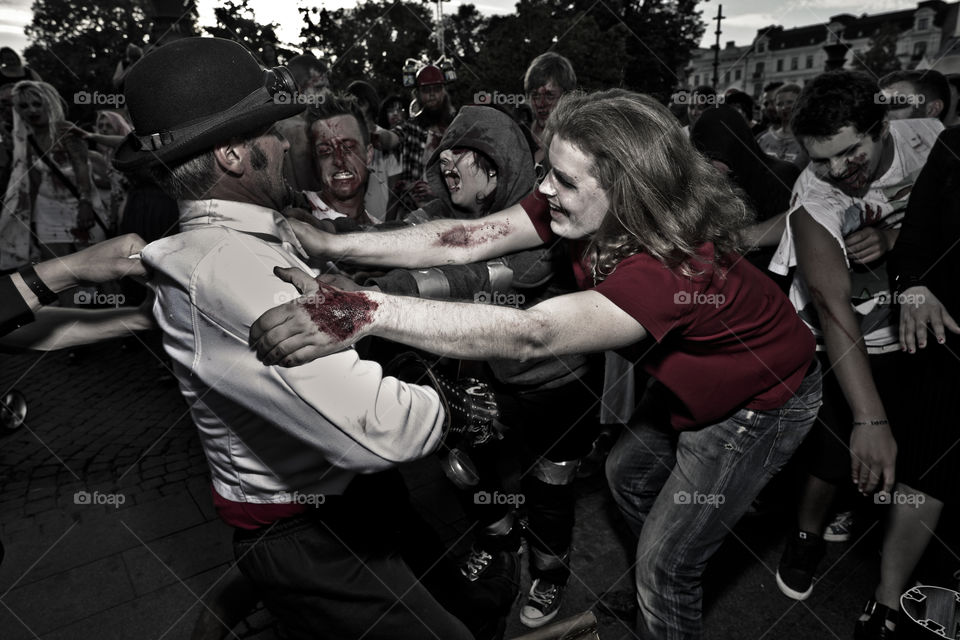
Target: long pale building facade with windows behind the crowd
x: 926, y: 37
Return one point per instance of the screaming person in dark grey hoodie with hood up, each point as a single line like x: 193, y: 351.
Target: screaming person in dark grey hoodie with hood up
x: 484, y: 163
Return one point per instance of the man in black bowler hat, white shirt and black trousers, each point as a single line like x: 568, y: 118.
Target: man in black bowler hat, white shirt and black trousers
x: 292, y: 452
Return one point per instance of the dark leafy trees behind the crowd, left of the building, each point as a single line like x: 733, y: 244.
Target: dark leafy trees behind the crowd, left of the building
x: 636, y: 44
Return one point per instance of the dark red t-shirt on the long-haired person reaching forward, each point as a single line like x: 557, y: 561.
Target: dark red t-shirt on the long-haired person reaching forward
x: 727, y: 341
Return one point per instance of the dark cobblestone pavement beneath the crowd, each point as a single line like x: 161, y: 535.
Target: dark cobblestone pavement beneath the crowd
x: 109, y: 529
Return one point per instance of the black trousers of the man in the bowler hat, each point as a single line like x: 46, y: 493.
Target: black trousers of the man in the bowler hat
x: 339, y: 571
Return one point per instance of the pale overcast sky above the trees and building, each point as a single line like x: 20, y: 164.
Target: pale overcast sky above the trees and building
x: 743, y: 17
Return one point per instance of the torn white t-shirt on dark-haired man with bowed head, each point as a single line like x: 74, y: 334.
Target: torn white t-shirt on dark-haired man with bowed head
x: 840, y: 214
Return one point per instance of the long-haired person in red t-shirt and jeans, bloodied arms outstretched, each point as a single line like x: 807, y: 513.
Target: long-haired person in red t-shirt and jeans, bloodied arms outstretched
x: 652, y: 228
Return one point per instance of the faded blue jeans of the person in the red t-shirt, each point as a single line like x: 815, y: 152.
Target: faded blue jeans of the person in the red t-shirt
x: 683, y: 491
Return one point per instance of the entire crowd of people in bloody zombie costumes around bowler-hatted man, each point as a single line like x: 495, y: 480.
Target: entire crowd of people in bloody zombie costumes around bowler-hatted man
x: 733, y: 286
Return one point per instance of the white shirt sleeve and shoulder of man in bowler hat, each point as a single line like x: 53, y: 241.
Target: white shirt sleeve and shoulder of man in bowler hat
x: 339, y: 404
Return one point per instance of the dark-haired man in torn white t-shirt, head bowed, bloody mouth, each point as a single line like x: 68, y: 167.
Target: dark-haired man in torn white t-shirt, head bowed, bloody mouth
x: 844, y: 217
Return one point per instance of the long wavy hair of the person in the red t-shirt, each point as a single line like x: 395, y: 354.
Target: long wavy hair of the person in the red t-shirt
x: 666, y: 199
